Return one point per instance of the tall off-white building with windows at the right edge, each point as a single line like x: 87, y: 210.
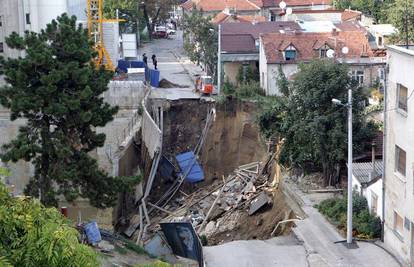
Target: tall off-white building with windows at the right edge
x: 399, y: 154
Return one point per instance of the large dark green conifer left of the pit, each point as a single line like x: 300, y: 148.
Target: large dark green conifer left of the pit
x: 58, y: 90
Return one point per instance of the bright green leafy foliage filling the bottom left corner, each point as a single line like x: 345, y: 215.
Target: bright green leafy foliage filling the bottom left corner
x: 32, y: 235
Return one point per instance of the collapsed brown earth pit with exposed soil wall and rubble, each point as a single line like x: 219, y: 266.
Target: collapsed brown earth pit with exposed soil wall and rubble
x: 241, y: 174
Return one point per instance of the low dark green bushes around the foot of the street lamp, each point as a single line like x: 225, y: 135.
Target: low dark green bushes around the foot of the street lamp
x: 365, y: 225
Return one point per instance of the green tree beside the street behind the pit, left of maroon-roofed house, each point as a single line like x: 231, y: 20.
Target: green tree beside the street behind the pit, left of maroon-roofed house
x: 200, y: 41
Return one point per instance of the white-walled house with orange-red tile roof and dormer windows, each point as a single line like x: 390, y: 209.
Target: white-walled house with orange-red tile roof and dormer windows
x: 285, y: 50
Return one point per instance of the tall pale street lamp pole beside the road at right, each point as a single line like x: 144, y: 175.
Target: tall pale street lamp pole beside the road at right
x: 349, y: 212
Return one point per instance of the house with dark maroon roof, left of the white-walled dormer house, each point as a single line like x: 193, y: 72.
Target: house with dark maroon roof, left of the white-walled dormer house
x: 240, y: 44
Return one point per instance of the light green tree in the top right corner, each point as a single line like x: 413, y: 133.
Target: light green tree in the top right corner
x: 401, y: 15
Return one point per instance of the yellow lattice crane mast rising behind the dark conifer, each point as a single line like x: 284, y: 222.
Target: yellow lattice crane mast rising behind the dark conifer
x: 95, y: 30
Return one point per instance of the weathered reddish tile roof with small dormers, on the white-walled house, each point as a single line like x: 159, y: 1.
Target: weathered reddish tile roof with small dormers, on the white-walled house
x: 308, y: 44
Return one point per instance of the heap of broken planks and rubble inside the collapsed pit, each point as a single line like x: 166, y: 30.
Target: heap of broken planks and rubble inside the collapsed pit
x: 222, y: 207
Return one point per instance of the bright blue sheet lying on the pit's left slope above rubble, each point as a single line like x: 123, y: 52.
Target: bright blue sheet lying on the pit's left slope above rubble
x: 185, y: 160
